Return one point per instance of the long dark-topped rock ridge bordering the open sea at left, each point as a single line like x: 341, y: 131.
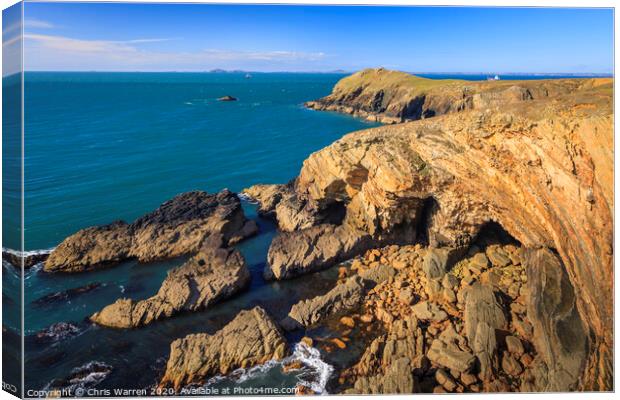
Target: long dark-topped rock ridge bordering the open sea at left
x: 177, y: 227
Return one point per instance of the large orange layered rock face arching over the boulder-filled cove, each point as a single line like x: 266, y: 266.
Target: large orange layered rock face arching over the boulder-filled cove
x: 540, y: 165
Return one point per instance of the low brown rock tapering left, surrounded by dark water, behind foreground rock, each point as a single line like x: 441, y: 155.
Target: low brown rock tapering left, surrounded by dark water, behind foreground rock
x: 213, y: 274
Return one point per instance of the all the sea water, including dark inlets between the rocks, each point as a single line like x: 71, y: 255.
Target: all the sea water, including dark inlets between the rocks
x: 106, y: 146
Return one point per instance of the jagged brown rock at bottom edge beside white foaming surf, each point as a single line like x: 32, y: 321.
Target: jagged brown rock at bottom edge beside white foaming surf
x: 250, y: 339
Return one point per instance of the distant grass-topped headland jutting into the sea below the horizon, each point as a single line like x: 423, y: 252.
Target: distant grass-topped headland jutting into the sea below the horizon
x: 394, y: 97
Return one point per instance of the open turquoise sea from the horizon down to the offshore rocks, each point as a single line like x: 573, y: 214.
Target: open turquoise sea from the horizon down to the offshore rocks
x: 105, y: 146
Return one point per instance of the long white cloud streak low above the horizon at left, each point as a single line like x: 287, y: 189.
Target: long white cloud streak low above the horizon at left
x: 47, y: 52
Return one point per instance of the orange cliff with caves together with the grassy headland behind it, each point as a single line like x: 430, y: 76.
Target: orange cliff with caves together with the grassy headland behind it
x: 535, y: 157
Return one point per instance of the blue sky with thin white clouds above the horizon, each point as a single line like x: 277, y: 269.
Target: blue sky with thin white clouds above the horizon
x: 199, y: 37
